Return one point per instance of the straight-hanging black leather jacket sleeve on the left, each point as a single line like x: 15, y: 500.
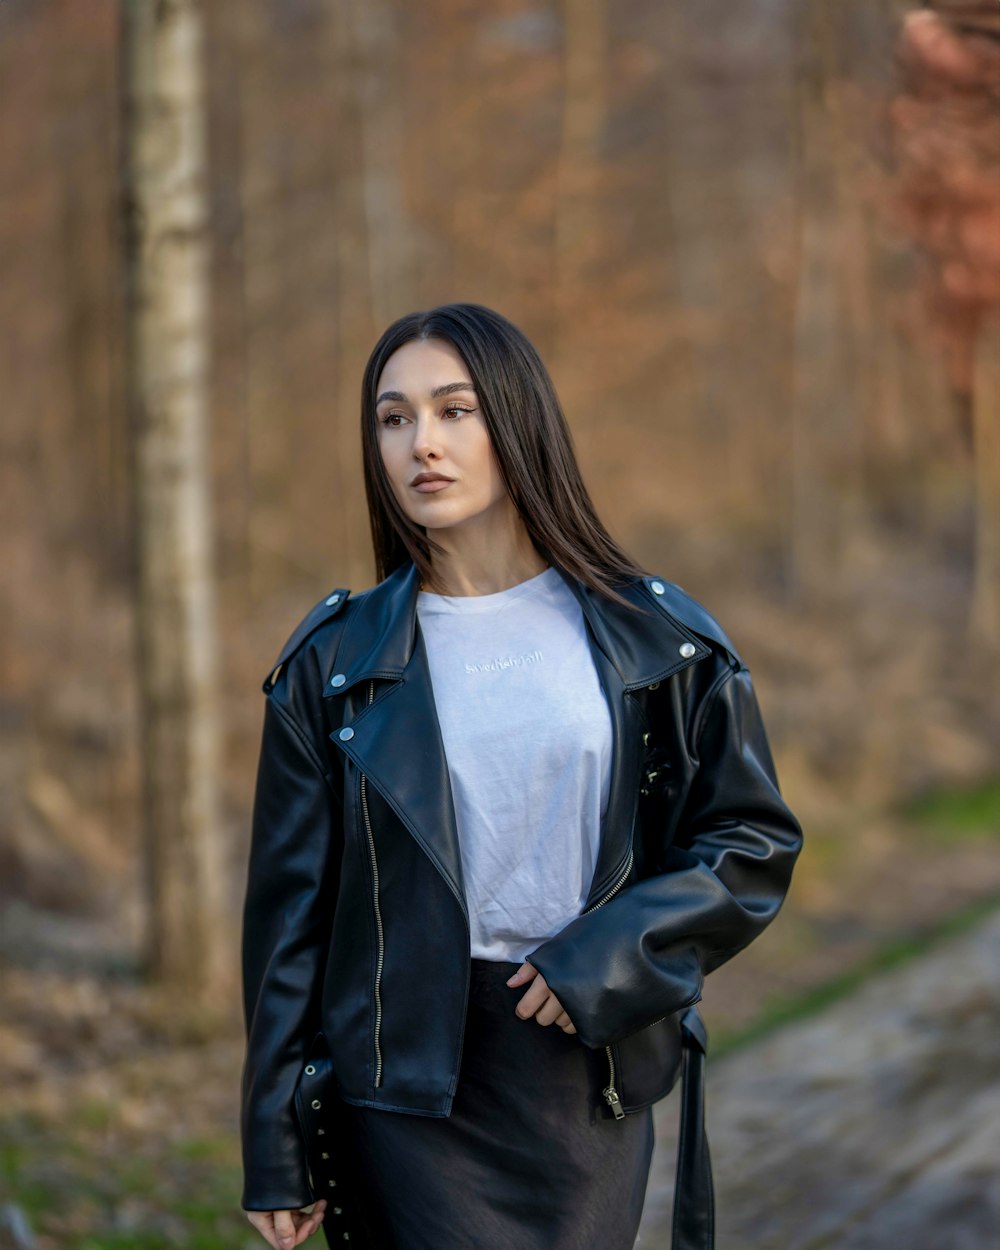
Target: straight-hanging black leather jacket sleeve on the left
x: 287, y: 922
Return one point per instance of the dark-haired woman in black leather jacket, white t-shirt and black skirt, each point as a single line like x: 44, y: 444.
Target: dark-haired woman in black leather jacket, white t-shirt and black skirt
x: 513, y: 806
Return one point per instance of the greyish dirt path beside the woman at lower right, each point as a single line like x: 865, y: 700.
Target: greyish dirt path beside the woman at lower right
x: 873, y: 1127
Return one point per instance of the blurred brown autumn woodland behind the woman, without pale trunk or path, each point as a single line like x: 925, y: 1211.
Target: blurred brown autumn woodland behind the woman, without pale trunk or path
x: 759, y: 248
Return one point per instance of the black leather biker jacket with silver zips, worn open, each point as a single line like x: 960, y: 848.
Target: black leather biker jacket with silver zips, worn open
x: 356, y: 924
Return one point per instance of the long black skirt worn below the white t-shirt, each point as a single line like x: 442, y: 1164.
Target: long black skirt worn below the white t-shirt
x: 531, y: 1158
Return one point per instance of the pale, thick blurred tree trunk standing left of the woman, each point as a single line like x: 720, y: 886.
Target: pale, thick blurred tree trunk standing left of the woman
x: 167, y: 241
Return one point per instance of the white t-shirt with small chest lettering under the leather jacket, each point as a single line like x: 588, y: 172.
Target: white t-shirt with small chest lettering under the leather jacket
x: 528, y: 738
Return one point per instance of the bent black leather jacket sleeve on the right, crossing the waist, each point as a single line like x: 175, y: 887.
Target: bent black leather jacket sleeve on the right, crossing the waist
x: 646, y: 953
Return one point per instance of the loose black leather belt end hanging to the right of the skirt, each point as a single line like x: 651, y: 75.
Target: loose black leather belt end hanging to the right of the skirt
x: 694, y: 1197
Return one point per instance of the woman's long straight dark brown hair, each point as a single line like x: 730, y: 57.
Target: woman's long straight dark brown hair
x: 531, y: 441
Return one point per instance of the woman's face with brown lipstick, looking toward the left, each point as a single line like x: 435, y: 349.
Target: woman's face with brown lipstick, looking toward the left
x: 434, y: 442
